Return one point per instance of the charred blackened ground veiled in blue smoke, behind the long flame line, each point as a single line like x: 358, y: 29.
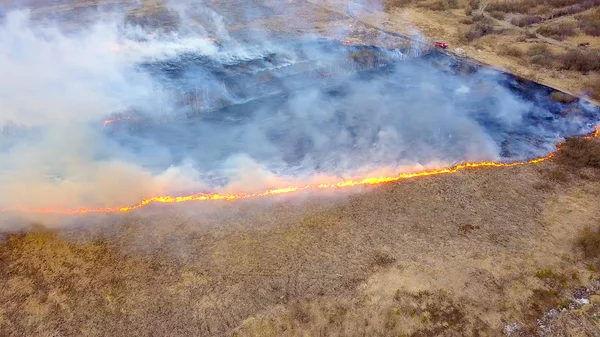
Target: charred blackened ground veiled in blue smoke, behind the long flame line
x: 322, y: 106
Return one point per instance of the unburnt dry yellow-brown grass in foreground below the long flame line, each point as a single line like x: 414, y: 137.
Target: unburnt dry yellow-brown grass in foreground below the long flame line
x: 454, y: 255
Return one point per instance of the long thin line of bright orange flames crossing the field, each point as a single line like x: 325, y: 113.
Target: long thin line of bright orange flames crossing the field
x: 284, y: 190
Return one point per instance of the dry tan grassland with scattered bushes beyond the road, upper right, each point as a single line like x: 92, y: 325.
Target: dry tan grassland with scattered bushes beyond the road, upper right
x: 555, y: 42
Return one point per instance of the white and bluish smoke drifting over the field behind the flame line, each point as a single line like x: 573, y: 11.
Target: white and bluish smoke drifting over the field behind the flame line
x: 237, y: 116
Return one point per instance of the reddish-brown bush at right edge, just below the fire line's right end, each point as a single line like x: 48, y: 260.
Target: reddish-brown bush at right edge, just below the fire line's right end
x: 580, y: 152
